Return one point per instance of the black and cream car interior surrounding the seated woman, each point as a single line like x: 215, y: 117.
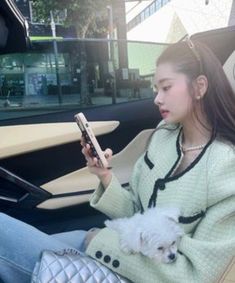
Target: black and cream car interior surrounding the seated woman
x: 44, y: 180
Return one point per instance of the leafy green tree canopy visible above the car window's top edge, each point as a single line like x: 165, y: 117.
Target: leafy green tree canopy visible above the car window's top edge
x: 89, y: 17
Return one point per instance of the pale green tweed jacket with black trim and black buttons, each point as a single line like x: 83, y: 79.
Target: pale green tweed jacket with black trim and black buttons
x: 205, y: 194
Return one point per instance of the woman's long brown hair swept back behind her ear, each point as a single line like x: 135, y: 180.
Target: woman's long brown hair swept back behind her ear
x: 218, y: 104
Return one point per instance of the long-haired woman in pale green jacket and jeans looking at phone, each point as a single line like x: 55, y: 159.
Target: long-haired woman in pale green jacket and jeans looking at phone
x: 189, y: 163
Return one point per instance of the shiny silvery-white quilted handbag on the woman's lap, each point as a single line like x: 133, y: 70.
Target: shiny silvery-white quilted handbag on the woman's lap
x: 71, y: 266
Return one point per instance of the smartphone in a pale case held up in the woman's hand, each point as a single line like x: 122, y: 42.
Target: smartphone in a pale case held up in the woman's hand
x: 90, y: 138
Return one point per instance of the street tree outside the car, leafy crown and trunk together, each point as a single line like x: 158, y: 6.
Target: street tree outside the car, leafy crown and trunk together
x: 90, y: 19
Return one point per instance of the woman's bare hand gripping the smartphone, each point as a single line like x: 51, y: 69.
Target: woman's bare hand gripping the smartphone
x: 104, y: 174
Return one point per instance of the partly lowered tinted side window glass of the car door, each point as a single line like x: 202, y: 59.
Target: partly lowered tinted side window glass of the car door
x: 55, y: 76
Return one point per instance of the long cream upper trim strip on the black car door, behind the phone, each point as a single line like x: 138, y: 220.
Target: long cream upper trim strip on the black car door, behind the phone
x: 26, y: 138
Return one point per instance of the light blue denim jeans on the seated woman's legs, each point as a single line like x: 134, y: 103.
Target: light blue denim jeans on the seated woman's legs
x: 21, y: 246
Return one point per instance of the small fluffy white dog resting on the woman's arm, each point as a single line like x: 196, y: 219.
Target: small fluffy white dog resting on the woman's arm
x: 155, y: 233
